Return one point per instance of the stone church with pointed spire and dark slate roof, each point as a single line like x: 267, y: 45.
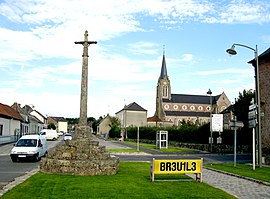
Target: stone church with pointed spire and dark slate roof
x: 175, y: 109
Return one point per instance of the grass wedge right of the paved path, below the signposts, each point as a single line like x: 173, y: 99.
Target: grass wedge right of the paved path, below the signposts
x: 246, y: 170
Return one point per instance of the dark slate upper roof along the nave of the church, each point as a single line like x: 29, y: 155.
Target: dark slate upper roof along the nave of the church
x: 191, y: 99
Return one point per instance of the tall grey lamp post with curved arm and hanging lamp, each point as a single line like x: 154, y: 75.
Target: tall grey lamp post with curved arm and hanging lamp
x: 232, y: 51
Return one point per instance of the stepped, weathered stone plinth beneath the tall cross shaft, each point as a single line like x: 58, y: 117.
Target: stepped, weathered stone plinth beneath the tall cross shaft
x: 80, y: 156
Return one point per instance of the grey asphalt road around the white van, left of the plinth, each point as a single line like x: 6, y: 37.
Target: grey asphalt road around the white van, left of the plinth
x: 10, y: 170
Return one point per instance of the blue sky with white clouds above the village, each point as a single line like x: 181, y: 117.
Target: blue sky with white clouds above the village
x: 41, y: 66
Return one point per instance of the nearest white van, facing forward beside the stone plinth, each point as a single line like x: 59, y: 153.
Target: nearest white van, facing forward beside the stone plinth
x: 29, y: 147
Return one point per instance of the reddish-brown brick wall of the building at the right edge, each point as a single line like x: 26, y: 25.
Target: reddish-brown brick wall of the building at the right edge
x: 265, y: 103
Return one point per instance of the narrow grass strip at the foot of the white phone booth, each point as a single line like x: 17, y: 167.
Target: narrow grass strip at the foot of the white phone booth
x: 170, y: 149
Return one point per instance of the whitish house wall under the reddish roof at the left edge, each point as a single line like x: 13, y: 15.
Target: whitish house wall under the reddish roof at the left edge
x: 10, y: 126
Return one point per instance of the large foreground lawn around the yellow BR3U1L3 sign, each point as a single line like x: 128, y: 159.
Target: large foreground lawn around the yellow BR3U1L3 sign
x: 131, y: 181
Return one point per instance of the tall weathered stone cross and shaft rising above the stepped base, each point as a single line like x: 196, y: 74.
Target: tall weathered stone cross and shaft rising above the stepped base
x: 84, y: 81
